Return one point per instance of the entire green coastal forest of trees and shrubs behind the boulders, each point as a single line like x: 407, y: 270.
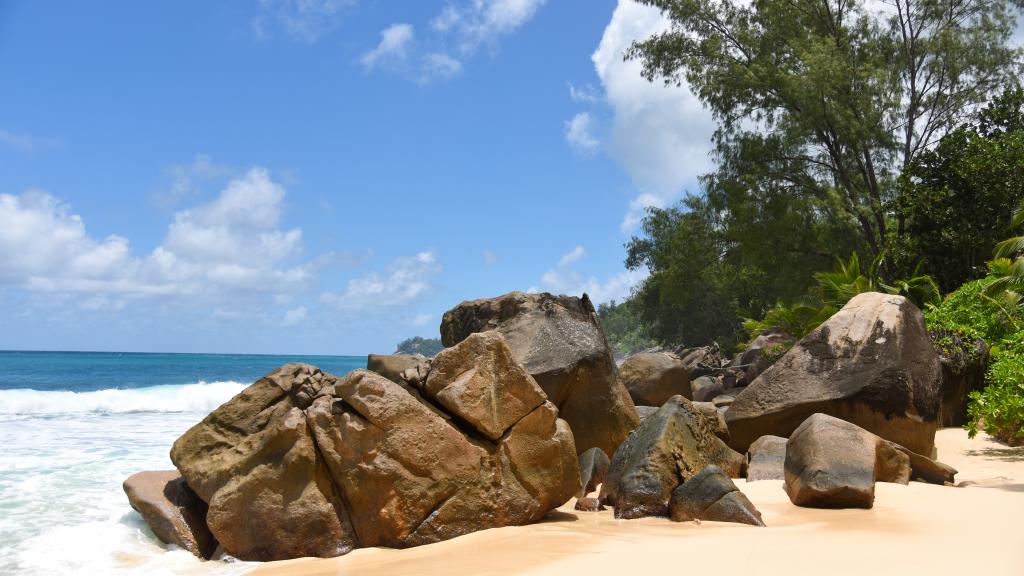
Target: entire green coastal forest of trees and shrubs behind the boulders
x: 854, y: 153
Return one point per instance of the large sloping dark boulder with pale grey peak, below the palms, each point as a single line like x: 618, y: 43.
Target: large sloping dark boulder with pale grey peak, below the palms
x: 872, y: 364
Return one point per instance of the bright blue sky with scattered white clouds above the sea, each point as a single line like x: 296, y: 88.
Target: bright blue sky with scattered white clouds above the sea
x: 321, y: 177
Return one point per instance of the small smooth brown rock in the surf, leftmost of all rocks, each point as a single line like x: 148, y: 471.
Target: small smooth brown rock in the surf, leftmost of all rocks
x: 175, y: 513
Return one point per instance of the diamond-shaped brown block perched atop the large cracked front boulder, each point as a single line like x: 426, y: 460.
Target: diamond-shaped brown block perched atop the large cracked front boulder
x: 480, y: 382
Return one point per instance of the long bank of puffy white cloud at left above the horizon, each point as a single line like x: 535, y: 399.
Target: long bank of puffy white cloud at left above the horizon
x: 232, y: 243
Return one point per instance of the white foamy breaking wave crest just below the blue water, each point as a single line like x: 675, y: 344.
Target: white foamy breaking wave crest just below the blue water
x: 200, y: 397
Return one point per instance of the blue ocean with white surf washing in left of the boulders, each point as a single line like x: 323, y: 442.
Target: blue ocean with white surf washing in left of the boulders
x: 74, y: 426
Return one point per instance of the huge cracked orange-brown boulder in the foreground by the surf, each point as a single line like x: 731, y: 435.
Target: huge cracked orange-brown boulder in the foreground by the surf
x: 304, y: 464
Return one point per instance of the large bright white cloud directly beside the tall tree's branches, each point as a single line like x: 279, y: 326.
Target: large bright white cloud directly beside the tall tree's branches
x: 661, y: 136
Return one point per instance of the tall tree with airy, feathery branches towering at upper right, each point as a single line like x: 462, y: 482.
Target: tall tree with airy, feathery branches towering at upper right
x: 824, y: 102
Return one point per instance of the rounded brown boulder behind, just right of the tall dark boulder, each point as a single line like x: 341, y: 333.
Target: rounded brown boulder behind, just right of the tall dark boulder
x: 654, y: 378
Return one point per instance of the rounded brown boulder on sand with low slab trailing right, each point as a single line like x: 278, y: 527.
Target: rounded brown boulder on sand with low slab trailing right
x: 834, y: 464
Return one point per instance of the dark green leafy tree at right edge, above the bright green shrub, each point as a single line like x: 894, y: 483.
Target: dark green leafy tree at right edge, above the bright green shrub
x: 952, y: 201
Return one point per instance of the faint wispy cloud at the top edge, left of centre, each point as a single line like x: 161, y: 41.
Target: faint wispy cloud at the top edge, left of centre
x: 306, y: 21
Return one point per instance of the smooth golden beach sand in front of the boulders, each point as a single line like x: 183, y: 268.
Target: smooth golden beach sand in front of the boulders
x: 922, y: 528
